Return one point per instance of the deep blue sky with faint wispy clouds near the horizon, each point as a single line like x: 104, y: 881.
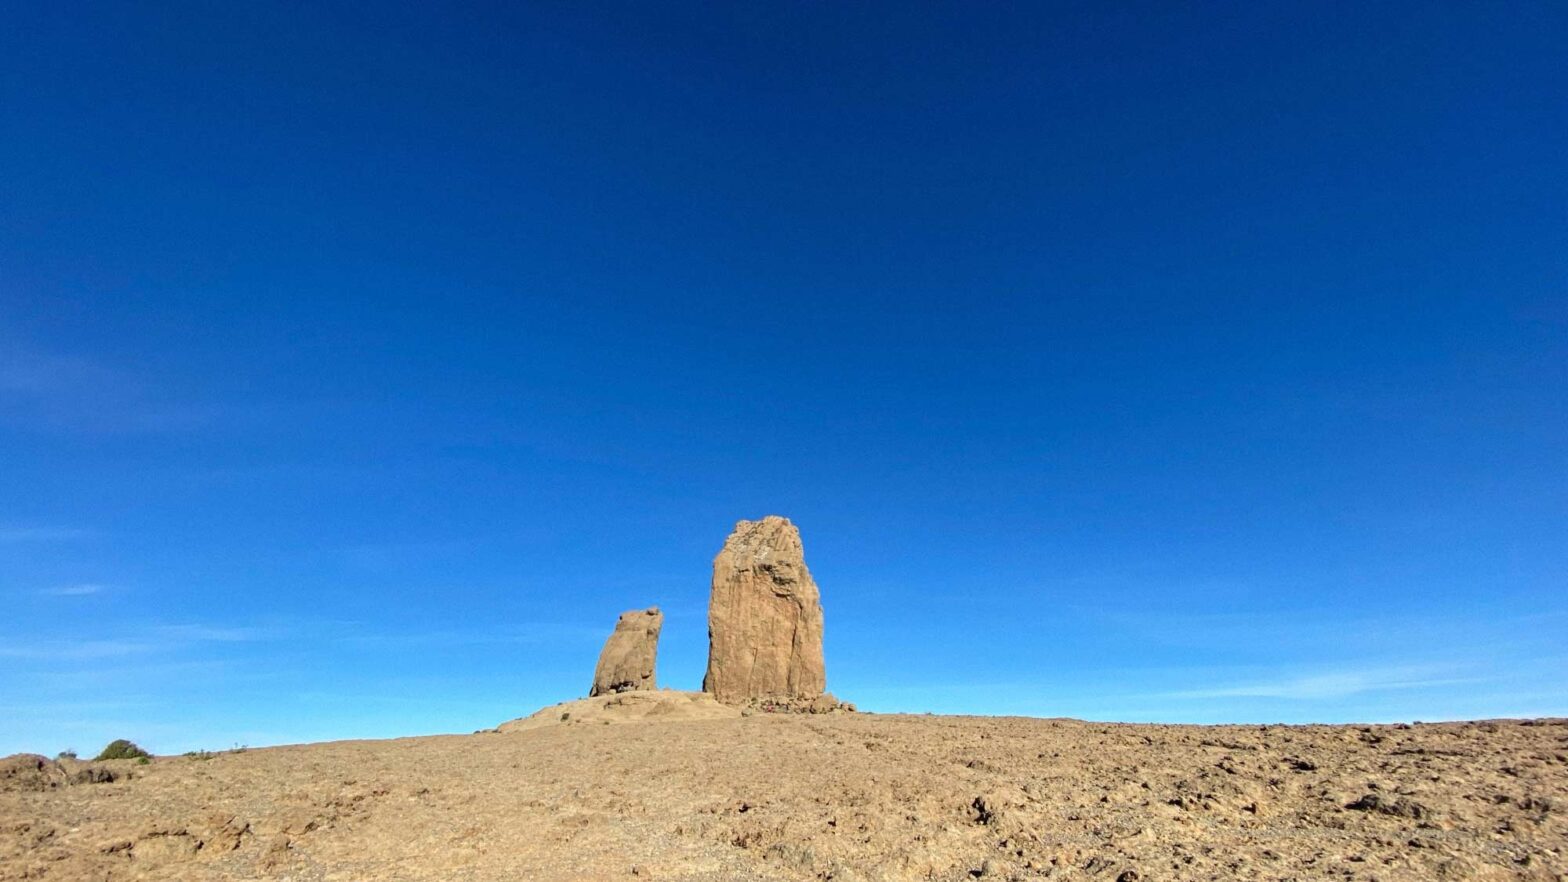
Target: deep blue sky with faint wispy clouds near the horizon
x: 1133, y: 363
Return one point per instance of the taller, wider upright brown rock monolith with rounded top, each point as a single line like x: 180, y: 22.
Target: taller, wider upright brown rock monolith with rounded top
x: 764, y: 618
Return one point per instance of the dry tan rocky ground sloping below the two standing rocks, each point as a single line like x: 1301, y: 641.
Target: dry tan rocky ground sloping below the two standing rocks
x: 703, y: 795
